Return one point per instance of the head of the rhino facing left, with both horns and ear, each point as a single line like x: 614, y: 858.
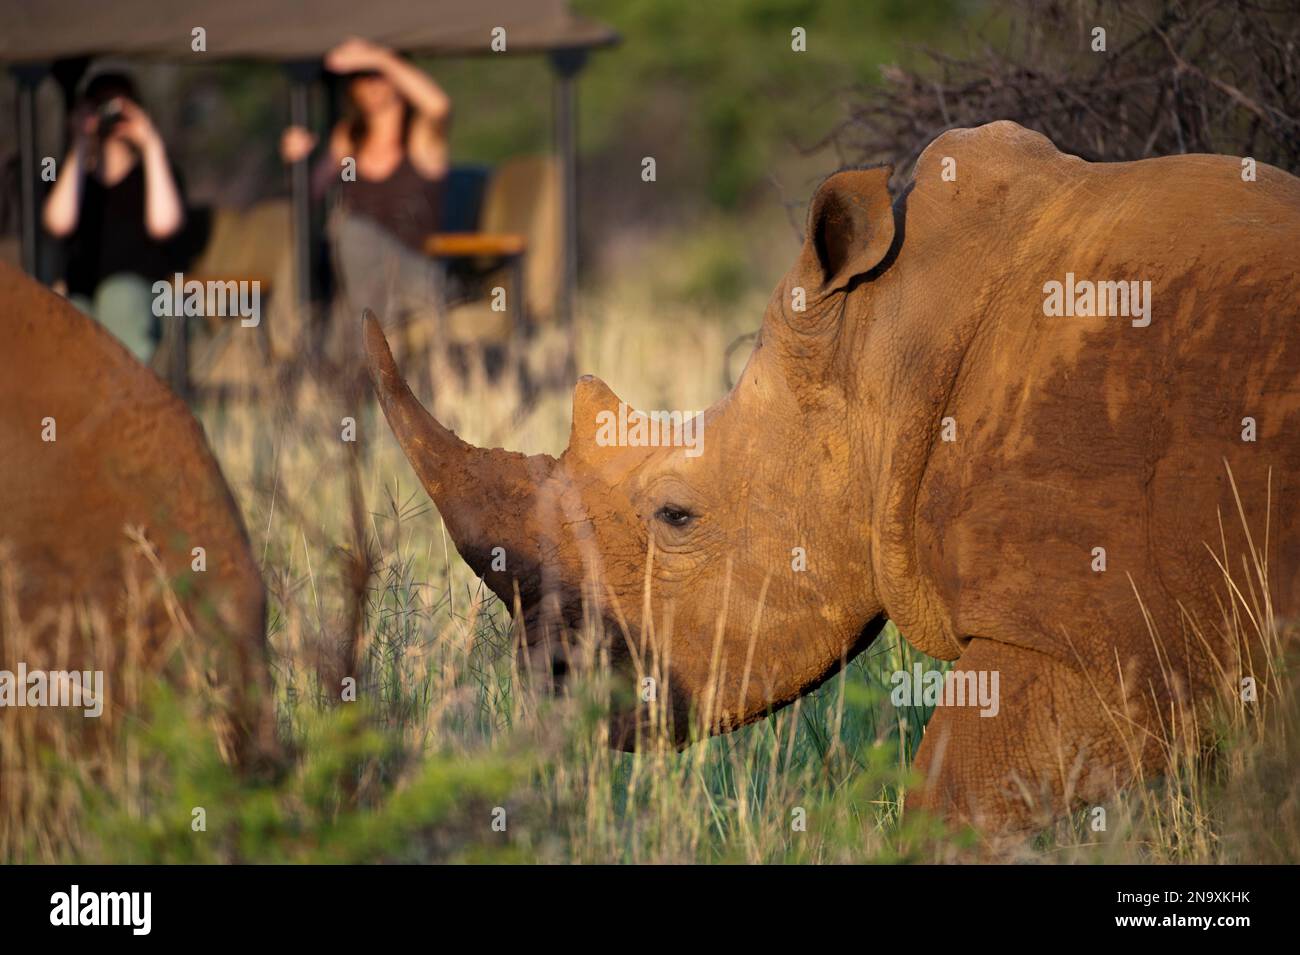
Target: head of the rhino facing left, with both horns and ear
x: 738, y: 571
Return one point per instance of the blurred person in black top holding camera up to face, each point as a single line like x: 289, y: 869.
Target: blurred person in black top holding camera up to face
x: 118, y: 205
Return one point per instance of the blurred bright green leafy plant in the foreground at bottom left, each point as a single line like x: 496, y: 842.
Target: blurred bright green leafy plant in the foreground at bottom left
x: 320, y: 809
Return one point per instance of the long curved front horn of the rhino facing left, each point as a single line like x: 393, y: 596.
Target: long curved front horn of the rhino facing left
x: 488, y: 498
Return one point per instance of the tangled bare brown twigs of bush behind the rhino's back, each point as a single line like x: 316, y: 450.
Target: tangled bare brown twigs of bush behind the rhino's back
x: 1106, y: 81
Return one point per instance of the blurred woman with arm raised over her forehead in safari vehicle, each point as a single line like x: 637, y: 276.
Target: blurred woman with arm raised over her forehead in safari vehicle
x: 385, y: 172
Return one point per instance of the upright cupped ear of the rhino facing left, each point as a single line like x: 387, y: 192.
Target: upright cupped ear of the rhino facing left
x: 851, y: 228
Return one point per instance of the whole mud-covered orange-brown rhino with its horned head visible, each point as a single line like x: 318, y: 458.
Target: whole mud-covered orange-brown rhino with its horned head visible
x: 1072, y: 433
